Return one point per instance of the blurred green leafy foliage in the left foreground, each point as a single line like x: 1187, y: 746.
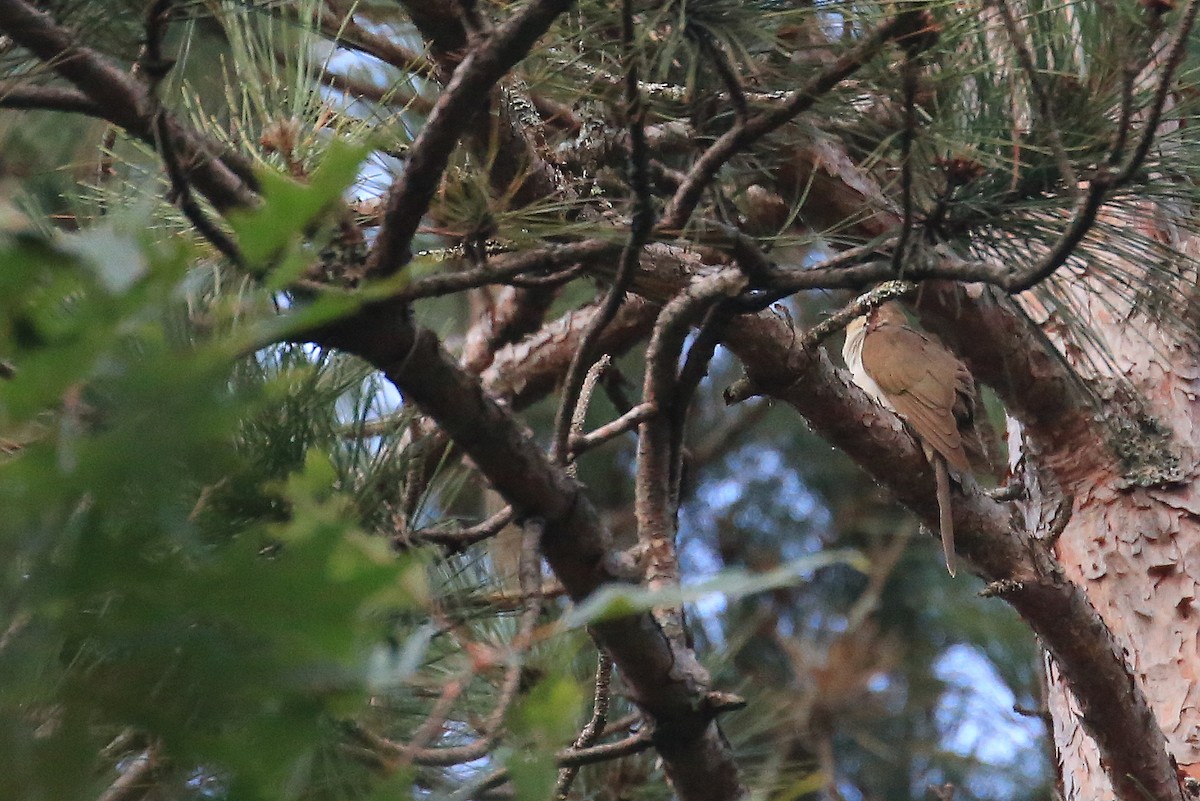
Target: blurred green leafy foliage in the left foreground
x: 141, y: 589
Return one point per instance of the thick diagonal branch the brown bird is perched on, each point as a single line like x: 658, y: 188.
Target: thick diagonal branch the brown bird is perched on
x: 1114, y: 709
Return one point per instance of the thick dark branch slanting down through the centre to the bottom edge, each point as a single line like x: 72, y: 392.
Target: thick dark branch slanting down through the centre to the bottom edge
x: 667, y: 683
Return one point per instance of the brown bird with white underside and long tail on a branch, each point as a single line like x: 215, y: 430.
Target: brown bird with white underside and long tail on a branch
x: 915, y: 376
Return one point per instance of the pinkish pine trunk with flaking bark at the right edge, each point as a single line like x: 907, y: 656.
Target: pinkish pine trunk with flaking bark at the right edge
x: 1133, y: 539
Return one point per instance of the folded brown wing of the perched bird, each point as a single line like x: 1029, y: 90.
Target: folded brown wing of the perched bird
x: 907, y: 366
